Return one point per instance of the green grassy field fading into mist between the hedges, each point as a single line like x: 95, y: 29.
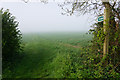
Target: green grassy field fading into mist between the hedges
x: 47, y: 55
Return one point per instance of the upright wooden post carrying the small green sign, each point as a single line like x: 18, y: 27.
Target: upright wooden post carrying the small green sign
x: 106, y: 29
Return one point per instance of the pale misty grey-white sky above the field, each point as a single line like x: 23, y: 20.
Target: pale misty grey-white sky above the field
x: 39, y: 17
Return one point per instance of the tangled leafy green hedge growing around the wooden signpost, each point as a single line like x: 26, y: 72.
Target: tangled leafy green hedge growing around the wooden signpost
x: 114, y: 48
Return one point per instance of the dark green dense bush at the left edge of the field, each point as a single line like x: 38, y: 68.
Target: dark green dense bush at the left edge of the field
x: 11, y: 39
